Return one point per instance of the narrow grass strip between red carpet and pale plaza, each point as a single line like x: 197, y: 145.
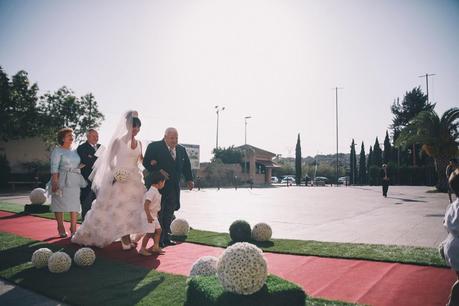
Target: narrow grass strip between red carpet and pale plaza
x: 375, y: 252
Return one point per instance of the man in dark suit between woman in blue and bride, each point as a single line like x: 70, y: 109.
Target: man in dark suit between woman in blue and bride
x: 87, y: 151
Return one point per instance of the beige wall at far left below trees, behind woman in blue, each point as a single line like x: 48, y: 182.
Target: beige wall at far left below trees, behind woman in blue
x: 24, y: 150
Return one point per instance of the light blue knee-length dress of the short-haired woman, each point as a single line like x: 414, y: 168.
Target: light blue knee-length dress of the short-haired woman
x: 66, y: 163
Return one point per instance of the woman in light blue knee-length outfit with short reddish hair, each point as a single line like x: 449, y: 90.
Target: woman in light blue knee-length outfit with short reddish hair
x: 66, y: 181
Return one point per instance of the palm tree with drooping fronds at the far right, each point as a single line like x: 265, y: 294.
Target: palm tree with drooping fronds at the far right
x: 439, y: 138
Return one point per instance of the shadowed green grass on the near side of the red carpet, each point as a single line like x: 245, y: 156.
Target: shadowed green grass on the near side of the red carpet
x: 107, y: 282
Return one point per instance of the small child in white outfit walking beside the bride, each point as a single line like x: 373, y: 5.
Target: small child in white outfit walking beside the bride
x: 152, y: 206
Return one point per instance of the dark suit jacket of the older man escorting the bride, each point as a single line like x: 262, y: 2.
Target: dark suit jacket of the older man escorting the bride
x: 159, y: 151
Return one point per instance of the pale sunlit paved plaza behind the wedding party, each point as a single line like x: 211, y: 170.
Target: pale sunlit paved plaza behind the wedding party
x: 408, y: 216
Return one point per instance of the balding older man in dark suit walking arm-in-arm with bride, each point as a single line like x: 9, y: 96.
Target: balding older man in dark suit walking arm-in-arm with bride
x: 172, y: 161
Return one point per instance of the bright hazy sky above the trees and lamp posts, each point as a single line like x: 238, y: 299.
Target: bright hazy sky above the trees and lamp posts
x: 276, y: 61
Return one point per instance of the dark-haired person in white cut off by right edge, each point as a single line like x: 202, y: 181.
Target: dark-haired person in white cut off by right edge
x: 450, y: 246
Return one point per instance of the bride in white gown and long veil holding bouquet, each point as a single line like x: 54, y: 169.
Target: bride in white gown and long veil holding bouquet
x: 117, y: 181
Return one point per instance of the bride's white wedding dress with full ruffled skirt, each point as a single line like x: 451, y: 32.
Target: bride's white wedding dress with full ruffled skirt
x: 120, y: 209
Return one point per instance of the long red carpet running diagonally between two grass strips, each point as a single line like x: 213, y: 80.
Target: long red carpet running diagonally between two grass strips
x: 357, y: 281
